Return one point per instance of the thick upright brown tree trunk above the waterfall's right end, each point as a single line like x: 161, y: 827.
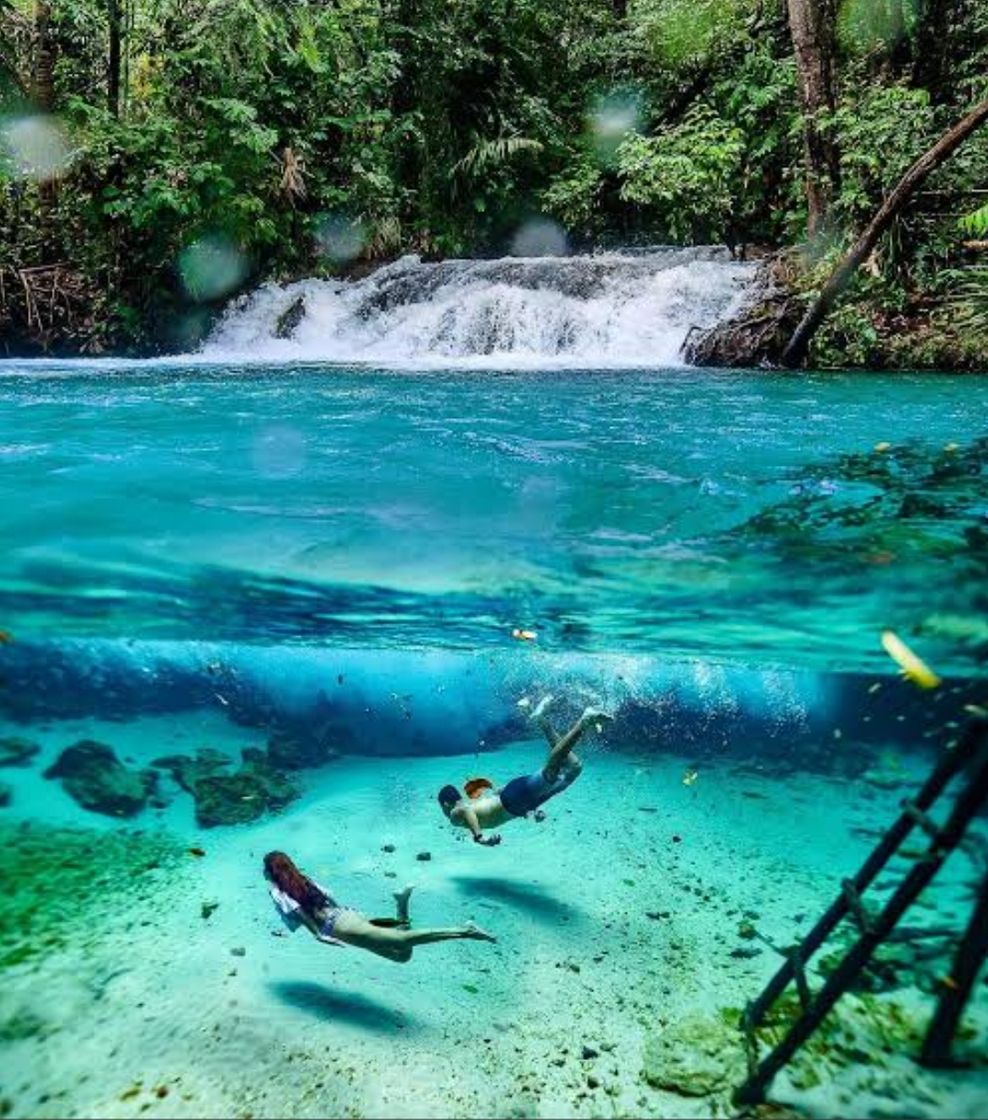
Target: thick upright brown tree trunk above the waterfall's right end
x: 814, y: 29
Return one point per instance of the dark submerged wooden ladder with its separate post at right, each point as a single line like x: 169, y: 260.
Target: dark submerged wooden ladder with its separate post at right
x: 971, y: 755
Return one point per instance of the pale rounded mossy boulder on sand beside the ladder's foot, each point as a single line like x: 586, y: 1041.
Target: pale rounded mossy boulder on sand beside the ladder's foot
x: 695, y: 1058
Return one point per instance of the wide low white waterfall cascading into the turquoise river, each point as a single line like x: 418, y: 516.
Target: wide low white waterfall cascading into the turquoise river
x: 628, y: 309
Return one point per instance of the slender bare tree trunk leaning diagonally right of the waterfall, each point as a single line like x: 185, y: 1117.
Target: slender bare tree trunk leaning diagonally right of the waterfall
x: 796, y: 352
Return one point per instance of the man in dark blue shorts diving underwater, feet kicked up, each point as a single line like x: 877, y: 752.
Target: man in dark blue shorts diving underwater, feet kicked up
x: 484, y: 807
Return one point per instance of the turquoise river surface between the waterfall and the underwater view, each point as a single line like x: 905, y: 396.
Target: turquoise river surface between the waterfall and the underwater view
x: 730, y: 517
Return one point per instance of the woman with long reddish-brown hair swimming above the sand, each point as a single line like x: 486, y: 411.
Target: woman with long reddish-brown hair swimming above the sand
x: 303, y: 902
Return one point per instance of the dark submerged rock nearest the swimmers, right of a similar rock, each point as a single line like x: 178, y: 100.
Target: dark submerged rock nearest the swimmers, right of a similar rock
x: 237, y: 798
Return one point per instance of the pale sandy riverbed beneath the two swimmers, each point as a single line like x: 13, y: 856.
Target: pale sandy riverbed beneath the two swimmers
x: 617, y: 918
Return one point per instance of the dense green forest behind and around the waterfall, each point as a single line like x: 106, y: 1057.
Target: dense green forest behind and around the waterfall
x: 157, y: 156
